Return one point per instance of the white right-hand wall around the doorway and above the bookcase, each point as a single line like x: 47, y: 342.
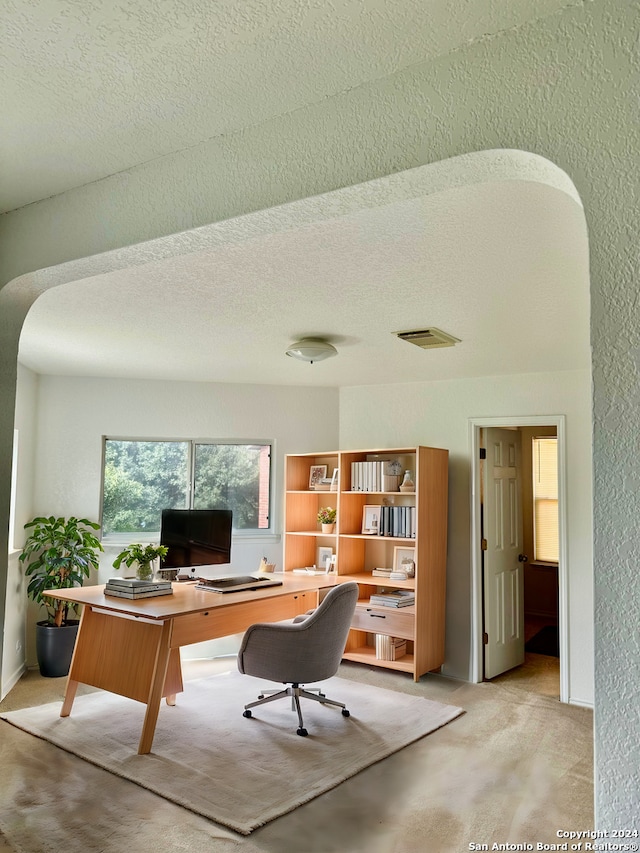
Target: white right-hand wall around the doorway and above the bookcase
x: 437, y: 414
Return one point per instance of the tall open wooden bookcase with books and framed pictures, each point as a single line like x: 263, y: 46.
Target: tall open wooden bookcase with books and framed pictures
x: 358, y: 553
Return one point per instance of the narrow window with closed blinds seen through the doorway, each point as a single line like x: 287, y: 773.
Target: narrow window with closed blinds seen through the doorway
x: 545, y: 499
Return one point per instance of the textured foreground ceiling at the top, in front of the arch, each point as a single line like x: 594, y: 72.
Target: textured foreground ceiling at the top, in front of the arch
x: 93, y: 88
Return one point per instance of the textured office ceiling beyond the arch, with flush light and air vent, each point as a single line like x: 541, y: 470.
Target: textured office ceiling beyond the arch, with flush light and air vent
x: 502, y: 265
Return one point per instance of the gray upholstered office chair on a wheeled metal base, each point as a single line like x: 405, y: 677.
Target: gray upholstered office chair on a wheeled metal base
x: 307, y: 650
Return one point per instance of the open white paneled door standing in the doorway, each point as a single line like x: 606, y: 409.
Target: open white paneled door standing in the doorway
x: 503, y: 571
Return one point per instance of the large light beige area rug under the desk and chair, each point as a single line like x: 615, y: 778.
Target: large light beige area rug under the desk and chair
x: 238, y: 772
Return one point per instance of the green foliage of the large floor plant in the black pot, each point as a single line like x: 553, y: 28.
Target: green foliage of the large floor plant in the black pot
x: 59, y: 553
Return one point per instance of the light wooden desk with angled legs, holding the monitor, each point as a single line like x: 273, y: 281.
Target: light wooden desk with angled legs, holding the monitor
x: 132, y: 648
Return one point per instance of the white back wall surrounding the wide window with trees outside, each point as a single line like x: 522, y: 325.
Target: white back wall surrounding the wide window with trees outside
x: 73, y: 414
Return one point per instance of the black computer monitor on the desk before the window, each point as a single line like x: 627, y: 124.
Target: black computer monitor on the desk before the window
x: 195, y: 537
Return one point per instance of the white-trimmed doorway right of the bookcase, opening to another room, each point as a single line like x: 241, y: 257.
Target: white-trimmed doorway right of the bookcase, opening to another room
x: 542, y: 610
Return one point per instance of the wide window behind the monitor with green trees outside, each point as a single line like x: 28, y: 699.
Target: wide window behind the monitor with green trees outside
x: 141, y: 478
